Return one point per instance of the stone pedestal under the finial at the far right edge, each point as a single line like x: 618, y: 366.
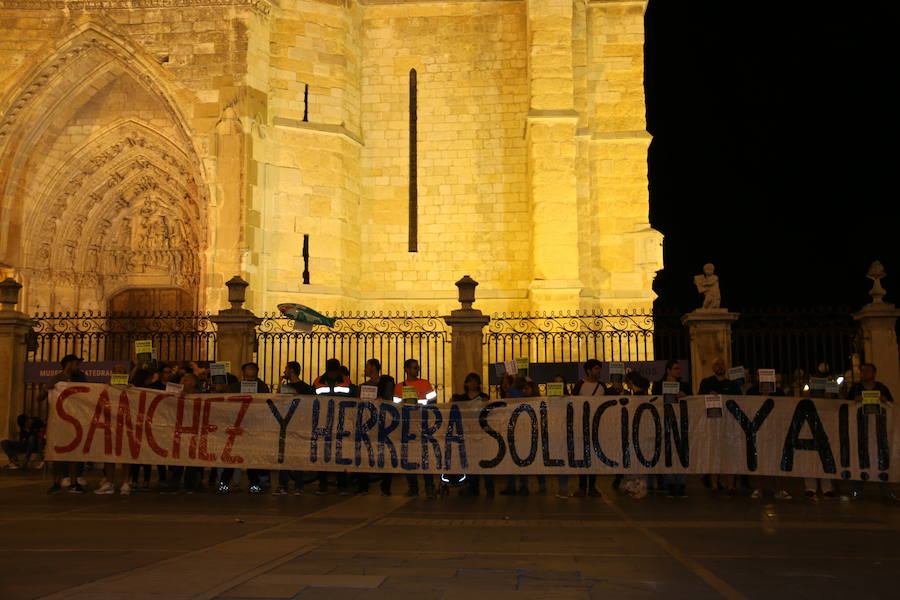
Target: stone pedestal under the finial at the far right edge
x: 878, y: 322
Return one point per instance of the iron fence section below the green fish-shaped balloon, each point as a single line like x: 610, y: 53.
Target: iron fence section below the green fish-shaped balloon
x: 356, y: 337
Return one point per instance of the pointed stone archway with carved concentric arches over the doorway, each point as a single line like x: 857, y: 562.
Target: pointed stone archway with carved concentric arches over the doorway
x: 124, y: 204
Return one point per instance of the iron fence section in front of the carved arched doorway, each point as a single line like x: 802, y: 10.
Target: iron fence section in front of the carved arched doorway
x: 98, y: 337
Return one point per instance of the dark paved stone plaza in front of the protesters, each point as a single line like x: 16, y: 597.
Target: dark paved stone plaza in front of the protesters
x: 205, y: 546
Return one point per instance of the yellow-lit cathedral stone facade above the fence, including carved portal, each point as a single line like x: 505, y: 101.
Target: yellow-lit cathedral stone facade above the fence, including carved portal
x: 152, y: 149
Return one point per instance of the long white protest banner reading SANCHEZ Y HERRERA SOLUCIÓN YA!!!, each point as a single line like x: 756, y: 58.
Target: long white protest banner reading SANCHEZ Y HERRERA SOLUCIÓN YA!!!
x: 795, y: 437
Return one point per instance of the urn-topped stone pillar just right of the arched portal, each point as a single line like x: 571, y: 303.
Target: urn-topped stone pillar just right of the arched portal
x: 236, y: 327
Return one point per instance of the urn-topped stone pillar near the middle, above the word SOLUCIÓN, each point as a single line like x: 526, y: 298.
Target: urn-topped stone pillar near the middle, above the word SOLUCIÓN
x: 466, y: 335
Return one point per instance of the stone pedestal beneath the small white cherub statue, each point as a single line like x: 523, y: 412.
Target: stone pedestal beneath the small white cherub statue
x: 710, y: 331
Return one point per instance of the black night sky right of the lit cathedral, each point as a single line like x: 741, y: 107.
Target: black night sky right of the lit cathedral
x: 773, y: 155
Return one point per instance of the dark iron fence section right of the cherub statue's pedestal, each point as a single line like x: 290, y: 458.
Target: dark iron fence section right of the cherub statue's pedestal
x: 795, y: 342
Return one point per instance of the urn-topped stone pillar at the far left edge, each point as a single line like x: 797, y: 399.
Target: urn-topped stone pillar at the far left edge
x: 14, y: 328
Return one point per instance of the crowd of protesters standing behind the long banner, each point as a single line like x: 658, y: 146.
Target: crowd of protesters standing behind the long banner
x: 195, y: 377
